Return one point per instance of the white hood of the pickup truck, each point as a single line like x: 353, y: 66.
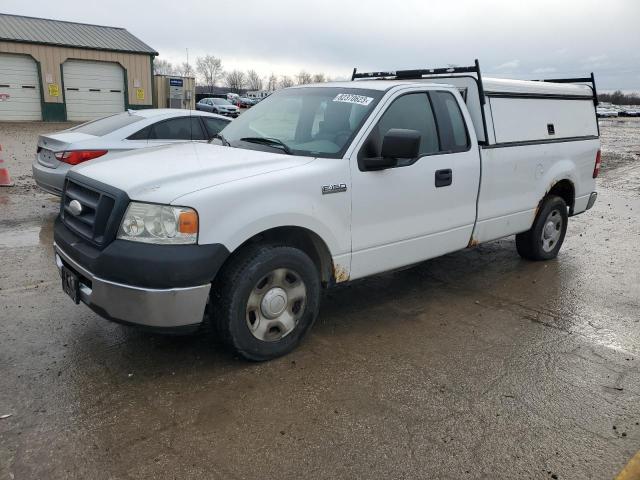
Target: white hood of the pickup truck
x: 162, y: 174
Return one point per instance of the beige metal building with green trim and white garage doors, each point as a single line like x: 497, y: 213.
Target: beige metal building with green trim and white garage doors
x: 54, y: 70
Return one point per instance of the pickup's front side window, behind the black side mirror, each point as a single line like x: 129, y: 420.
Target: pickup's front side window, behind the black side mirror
x: 413, y: 112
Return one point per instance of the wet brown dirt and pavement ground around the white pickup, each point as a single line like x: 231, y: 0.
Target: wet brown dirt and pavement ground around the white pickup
x: 474, y: 365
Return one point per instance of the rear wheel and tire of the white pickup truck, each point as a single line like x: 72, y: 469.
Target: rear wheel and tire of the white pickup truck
x: 544, y: 239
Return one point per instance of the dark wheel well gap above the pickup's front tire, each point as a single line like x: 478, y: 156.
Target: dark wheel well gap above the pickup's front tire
x: 302, y: 238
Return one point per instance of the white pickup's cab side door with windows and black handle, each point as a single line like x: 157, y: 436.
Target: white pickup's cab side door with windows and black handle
x: 411, y: 212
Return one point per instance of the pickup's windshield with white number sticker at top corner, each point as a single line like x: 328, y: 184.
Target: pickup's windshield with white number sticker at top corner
x: 308, y: 121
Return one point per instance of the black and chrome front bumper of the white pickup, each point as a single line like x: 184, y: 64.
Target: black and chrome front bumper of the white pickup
x: 162, y: 287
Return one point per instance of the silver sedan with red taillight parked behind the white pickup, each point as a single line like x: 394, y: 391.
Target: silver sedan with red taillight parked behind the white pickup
x: 105, y: 137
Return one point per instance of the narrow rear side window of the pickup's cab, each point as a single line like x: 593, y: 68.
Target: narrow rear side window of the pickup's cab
x: 452, y: 129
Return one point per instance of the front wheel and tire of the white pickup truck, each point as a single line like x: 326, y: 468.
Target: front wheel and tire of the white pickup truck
x: 265, y: 300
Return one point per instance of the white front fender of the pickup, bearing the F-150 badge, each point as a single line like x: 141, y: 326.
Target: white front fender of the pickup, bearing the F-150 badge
x: 232, y: 213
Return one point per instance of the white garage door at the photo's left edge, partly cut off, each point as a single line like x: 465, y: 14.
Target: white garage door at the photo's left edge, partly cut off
x: 19, y: 88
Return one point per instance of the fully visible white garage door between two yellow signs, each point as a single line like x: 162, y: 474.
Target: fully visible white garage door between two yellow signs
x: 92, y: 89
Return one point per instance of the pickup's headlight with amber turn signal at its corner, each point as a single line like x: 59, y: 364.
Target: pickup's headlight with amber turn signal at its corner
x: 149, y: 223
